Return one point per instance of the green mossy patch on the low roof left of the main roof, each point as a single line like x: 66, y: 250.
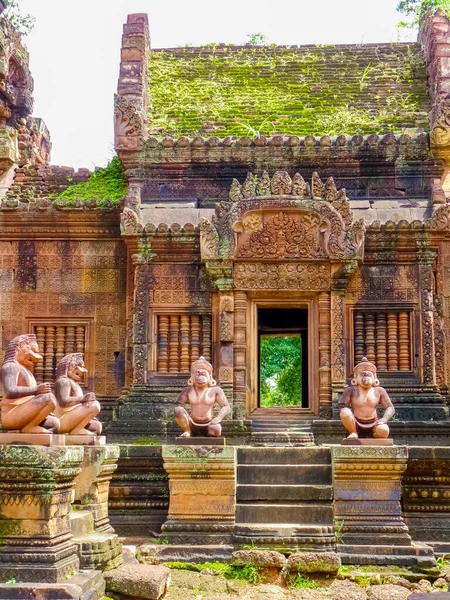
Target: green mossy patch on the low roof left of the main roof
x: 104, y: 184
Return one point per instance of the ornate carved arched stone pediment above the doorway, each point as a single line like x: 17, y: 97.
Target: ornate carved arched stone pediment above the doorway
x: 283, y: 219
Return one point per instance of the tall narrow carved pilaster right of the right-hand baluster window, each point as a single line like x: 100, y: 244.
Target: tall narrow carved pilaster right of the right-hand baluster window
x: 426, y: 282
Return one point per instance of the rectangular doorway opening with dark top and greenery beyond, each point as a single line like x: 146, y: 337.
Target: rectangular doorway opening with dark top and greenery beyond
x: 283, y: 357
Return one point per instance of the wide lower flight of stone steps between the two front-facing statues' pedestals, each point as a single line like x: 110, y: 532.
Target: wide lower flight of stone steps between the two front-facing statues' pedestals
x: 284, y: 499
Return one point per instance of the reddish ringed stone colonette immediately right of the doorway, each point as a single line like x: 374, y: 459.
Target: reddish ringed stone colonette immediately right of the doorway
x: 324, y: 350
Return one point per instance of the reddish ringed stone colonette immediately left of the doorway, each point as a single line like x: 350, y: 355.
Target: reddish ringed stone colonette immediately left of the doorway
x: 240, y: 341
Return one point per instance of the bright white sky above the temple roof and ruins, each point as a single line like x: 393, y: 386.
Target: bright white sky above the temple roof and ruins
x: 75, y: 46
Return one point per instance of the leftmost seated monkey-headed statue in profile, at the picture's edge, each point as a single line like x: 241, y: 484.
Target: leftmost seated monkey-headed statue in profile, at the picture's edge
x: 26, y: 406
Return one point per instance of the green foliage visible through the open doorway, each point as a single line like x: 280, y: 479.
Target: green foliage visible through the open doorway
x: 280, y: 368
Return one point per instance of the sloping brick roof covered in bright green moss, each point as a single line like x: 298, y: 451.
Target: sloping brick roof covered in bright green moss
x: 306, y: 90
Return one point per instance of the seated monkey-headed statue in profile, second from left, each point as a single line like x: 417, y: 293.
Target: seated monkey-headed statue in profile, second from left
x: 76, y: 410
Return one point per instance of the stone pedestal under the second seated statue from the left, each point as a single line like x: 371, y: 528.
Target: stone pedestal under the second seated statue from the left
x: 99, y: 547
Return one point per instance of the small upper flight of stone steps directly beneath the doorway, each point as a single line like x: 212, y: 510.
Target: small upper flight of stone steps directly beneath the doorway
x: 287, y: 426
